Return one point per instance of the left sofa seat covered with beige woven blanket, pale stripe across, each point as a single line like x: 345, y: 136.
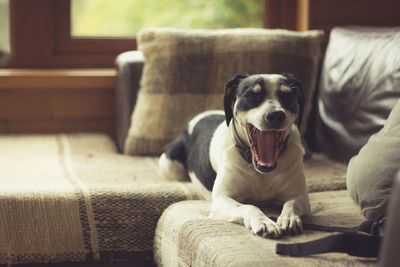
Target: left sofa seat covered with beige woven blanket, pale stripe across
x: 72, y: 198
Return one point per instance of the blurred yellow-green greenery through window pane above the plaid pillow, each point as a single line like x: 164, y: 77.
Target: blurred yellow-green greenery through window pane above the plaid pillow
x: 124, y: 18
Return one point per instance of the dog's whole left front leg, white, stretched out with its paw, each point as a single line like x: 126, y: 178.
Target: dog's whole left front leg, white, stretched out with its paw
x: 227, y: 209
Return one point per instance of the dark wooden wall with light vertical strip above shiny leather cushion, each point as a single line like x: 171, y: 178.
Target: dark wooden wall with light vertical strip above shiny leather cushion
x: 303, y: 15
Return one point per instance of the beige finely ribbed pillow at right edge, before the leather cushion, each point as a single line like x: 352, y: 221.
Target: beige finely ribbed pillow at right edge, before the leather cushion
x: 371, y: 173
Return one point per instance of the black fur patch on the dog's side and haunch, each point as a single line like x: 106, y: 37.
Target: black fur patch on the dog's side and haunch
x: 193, y: 150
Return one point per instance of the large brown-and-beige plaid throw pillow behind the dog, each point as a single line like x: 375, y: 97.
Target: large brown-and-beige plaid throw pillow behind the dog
x: 185, y: 73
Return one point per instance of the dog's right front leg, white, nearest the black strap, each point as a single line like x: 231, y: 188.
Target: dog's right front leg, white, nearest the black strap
x: 293, y: 209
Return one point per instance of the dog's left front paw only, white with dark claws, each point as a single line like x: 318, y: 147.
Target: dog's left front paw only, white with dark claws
x: 263, y: 226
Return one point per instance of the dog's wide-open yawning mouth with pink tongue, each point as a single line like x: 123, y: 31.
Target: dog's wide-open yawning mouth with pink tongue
x: 265, y: 147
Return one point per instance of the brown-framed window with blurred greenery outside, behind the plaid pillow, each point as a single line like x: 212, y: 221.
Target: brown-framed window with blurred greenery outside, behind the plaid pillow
x: 82, y: 33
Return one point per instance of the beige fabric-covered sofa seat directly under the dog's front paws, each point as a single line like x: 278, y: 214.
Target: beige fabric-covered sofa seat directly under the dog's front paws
x: 185, y: 236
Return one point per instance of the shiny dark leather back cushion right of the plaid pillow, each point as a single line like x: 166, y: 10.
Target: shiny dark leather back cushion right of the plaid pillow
x: 359, y: 86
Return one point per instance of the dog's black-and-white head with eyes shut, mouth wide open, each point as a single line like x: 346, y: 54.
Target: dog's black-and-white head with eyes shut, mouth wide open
x: 266, y: 106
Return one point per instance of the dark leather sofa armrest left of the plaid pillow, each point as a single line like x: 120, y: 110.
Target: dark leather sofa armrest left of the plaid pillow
x: 129, y: 65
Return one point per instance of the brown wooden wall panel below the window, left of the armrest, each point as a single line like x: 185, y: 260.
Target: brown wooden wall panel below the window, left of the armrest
x: 44, y: 101
